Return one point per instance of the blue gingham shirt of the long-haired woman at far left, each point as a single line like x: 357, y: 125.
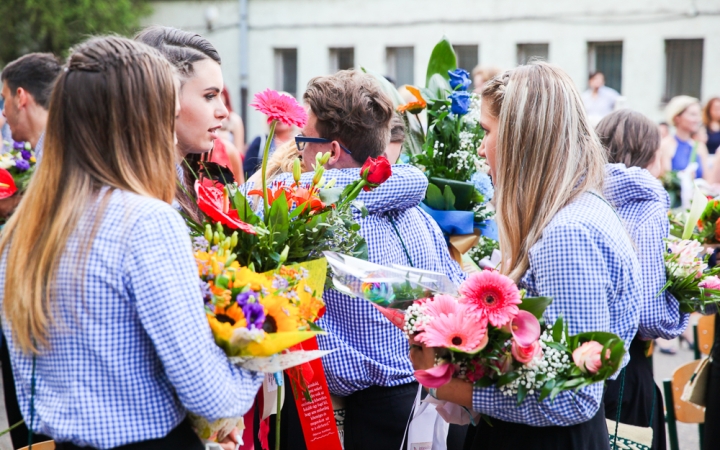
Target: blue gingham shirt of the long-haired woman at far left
x: 132, y: 355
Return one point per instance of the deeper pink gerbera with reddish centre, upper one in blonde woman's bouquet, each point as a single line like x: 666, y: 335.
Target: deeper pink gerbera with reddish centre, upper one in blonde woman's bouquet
x: 492, y: 295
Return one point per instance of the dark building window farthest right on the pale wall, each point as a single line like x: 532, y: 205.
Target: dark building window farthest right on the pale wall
x: 683, y: 67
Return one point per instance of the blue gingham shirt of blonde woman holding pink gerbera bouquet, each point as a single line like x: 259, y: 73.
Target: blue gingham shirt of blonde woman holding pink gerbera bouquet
x: 586, y: 262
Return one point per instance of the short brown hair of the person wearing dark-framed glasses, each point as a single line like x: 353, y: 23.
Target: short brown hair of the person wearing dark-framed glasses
x: 351, y: 108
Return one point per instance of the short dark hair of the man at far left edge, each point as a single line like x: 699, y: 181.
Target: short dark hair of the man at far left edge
x: 34, y: 72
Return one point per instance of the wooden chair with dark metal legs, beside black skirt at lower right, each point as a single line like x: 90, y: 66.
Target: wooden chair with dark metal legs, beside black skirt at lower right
x: 677, y: 410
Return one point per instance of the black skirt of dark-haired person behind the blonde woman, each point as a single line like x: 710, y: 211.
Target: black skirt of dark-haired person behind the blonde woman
x: 642, y: 402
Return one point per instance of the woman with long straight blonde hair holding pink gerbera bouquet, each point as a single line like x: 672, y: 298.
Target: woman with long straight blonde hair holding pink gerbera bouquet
x: 559, y: 238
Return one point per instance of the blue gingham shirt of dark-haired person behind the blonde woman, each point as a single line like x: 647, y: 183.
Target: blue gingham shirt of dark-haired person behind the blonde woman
x: 642, y: 203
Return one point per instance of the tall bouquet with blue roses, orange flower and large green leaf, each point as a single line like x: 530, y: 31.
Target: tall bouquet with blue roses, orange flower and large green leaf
x: 459, y: 187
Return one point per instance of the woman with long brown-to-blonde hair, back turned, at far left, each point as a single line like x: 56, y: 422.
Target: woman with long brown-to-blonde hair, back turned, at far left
x: 108, y: 339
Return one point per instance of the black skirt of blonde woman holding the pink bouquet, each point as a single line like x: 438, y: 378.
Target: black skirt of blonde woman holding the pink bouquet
x: 590, y: 435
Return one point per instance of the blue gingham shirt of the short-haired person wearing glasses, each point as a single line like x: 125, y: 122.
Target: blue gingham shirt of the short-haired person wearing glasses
x: 369, y: 350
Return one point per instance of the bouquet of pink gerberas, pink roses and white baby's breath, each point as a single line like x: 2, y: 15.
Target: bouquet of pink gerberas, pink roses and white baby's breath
x: 490, y: 333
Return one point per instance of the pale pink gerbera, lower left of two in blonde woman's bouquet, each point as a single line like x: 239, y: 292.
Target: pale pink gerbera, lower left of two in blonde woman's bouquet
x: 461, y: 331
